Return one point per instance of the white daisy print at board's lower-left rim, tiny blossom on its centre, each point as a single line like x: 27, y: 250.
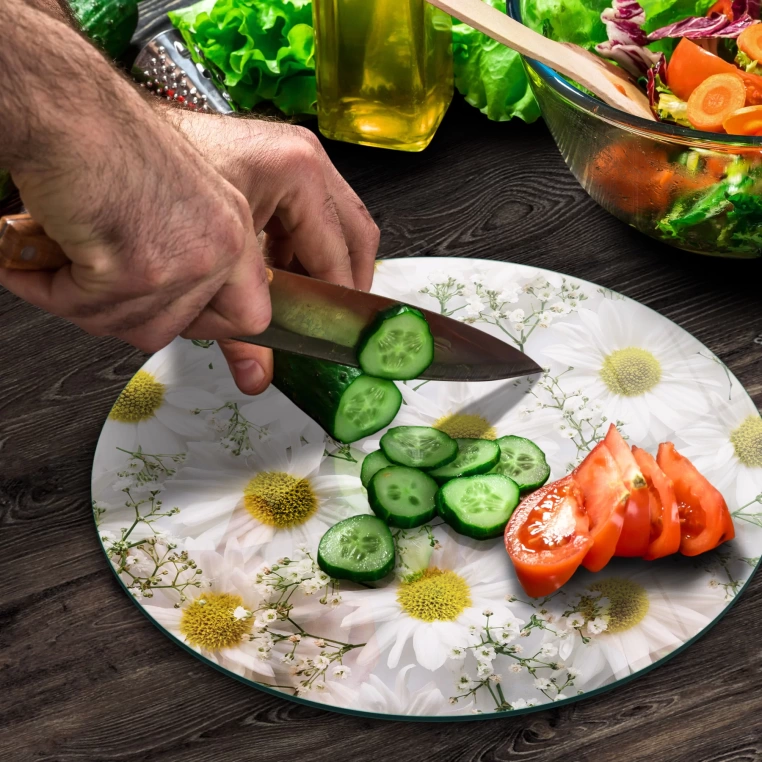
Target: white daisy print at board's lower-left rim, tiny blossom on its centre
x: 208, y: 624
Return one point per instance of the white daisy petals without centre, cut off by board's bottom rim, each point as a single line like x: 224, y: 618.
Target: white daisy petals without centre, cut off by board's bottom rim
x: 374, y: 695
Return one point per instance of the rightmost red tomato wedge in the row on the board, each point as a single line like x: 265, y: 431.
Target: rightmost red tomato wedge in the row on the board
x: 705, y: 521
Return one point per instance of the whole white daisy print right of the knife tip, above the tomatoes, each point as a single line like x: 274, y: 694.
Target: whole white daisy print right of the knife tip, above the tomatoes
x: 650, y: 378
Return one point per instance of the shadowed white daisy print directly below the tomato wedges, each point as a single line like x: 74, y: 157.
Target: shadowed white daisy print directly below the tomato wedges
x: 643, y: 618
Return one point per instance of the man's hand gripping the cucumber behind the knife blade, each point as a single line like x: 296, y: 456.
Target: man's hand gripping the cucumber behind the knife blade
x: 314, y: 222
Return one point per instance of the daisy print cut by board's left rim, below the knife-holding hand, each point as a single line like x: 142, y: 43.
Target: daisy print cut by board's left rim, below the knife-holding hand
x: 155, y: 411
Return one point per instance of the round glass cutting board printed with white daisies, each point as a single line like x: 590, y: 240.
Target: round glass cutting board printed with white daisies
x: 210, y: 506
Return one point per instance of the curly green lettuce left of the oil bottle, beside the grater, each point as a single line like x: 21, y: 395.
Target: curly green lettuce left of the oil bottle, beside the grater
x: 262, y: 50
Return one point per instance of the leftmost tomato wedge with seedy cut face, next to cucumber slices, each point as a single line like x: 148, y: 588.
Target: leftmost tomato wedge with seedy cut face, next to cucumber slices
x: 548, y: 536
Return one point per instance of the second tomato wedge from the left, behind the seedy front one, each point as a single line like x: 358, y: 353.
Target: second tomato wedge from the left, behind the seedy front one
x: 605, y: 502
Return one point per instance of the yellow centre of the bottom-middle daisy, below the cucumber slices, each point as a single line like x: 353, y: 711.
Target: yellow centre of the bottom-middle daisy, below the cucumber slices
x: 434, y: 596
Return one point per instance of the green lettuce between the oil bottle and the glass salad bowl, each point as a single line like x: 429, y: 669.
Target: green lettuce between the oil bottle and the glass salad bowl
x: 491, y: 76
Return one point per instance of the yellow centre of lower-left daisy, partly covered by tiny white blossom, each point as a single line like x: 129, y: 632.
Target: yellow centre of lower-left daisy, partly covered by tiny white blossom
x: 209, y: 622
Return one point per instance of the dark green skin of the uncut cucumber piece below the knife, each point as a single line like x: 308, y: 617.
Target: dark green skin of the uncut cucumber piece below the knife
x: 315, y: 386
